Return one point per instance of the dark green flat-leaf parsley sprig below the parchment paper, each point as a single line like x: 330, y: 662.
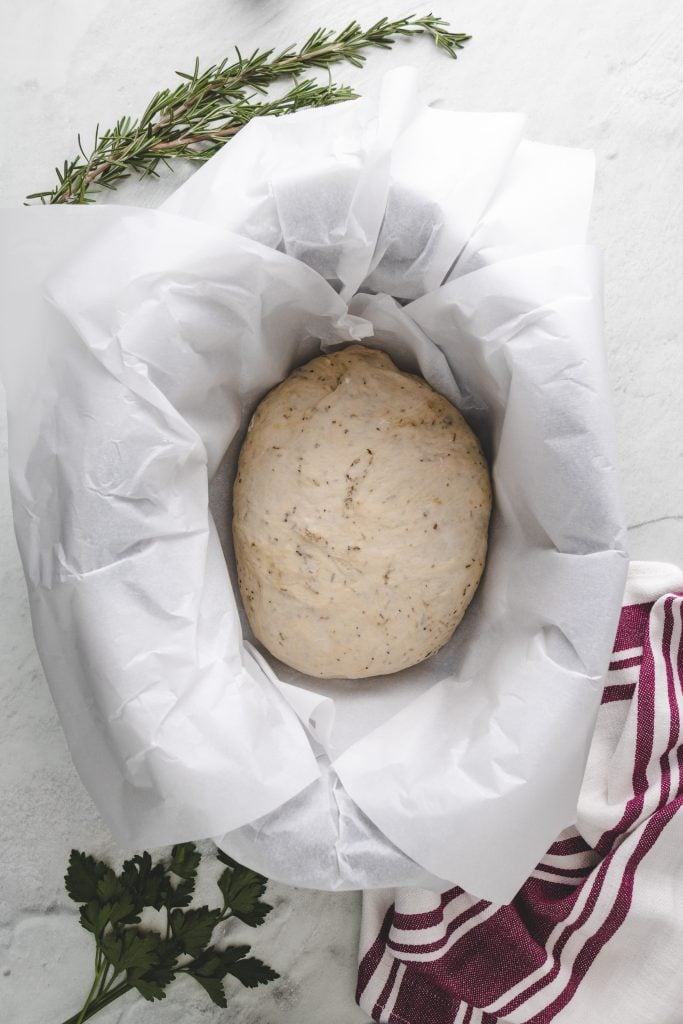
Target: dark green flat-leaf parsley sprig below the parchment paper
x: 129, y: 957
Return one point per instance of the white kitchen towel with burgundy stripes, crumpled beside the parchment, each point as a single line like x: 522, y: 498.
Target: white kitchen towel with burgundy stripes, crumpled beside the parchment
x: 596, y: 933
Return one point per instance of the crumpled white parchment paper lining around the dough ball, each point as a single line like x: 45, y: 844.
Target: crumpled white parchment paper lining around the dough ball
x: 132, y: 374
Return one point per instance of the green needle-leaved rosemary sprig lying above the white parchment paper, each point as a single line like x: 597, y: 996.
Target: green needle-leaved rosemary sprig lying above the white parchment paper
x: 196, y: 119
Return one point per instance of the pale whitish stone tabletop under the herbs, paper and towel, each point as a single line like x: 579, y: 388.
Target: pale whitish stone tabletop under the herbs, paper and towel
x: 607, y: 77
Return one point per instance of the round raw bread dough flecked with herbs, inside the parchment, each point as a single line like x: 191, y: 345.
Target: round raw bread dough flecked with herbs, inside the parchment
x: 361, y: 517
